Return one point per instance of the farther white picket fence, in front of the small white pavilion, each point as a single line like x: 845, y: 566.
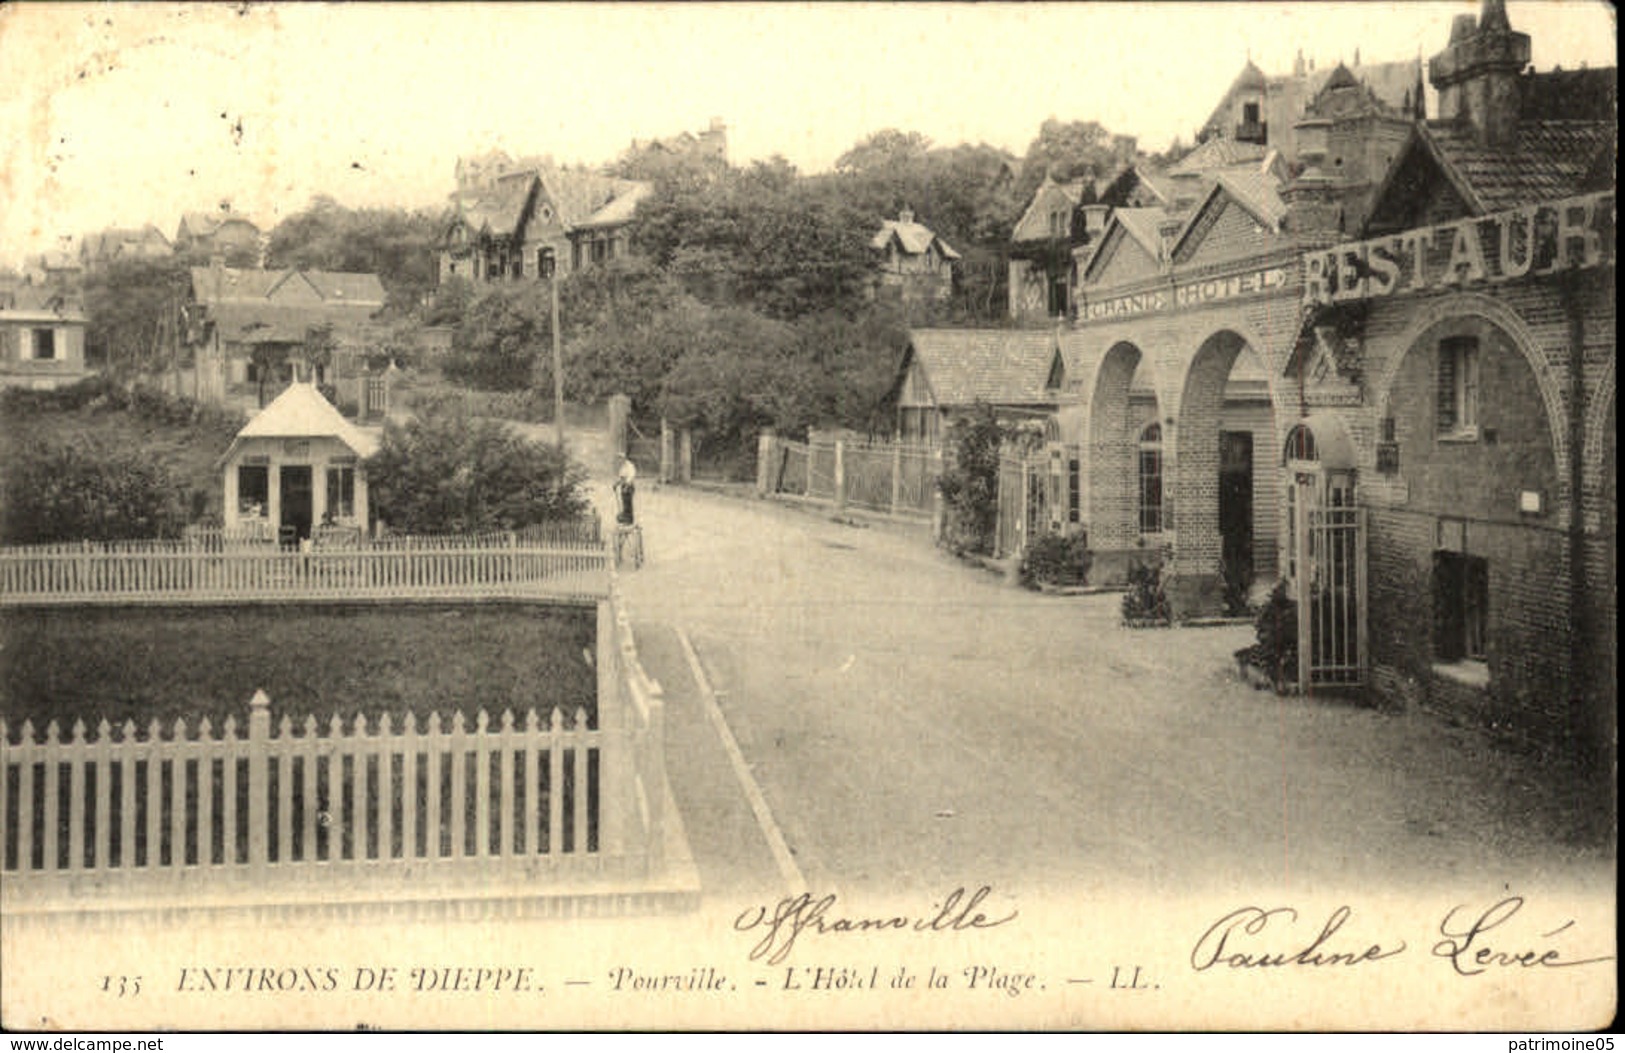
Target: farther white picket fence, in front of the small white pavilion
x: 180, y: 571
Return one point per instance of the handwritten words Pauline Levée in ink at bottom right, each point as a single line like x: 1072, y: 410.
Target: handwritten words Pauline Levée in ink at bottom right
x: 1259, y: 938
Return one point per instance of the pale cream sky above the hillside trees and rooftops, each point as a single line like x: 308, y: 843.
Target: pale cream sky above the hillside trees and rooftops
x: 129, y: 115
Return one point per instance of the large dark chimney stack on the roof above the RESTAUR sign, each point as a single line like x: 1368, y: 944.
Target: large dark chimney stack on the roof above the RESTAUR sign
x: 1478, y: 74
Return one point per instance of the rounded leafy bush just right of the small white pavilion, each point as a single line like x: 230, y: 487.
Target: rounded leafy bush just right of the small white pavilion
x: 446, y: 472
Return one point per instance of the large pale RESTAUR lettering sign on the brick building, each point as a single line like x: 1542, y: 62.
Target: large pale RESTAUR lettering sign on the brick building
x: 1536, y: 240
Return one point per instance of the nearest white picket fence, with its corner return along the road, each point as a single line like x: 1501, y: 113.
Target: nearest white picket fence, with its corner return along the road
x: 258, y: 810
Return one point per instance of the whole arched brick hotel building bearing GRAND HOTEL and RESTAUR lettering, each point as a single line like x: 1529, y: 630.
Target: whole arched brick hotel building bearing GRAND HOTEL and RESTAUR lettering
x: 1387, y: 383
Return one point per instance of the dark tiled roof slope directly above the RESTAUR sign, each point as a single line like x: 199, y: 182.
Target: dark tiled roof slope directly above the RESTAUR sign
x: 1548, y: 160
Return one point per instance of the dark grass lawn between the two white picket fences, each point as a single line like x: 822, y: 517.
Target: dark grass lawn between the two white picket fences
x: 137, y: 664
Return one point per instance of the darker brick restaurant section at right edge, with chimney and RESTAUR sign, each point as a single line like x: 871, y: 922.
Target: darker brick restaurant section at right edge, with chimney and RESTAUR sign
x: 1481, y: 311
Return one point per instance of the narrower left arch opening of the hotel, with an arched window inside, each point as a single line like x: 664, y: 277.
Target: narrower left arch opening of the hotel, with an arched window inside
x: 1122, y: 404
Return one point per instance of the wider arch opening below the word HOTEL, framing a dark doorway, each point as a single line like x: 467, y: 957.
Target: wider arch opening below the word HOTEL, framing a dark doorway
x: 1226, y: 477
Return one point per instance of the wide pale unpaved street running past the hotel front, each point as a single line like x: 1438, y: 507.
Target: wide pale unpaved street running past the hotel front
x: 917, y: 724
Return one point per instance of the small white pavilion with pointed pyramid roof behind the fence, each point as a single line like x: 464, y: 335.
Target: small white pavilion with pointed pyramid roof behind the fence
x: 297, y: 466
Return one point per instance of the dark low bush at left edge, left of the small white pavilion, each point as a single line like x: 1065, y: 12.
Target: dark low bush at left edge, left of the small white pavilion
x: 72, y: 492
